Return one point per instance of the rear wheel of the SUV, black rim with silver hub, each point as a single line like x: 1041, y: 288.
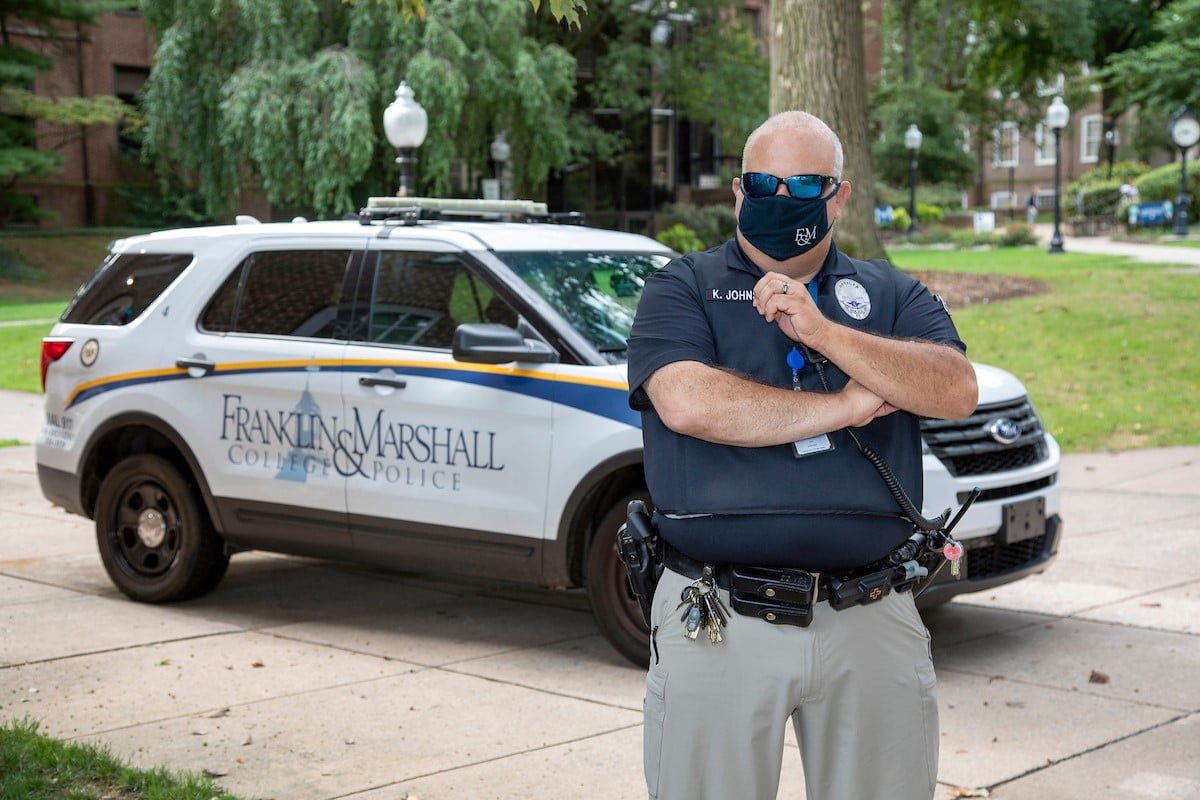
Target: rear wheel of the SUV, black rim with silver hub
x: 154, y: 537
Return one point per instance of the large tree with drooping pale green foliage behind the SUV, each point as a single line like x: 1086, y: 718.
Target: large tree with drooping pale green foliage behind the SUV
x: 291, y: 95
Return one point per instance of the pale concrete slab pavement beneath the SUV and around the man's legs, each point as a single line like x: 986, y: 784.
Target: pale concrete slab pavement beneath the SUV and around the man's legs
x: 308, y: 681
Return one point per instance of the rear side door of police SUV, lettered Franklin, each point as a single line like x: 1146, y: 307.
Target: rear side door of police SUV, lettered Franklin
x: 265, y: 406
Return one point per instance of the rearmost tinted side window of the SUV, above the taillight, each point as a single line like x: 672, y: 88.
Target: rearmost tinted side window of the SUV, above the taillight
x: 124, y: 287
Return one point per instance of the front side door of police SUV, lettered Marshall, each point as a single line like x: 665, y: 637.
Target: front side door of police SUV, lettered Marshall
x: 451, y: 460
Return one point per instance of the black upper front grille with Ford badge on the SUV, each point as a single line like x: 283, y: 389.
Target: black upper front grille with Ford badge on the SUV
x: 969, y: 447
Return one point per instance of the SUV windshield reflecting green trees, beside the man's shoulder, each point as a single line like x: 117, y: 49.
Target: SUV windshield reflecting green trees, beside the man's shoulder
x: 597, y: 293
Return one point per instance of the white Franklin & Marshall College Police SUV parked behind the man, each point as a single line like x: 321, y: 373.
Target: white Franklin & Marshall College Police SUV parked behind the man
x: 431, y: 387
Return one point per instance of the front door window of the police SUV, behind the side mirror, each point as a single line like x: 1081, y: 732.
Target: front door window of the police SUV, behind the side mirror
x: 422, y: 298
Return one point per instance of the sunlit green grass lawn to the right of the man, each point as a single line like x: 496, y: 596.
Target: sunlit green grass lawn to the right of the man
x: 1108, y: 353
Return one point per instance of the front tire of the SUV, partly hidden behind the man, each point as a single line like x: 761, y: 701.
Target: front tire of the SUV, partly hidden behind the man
x: 614, y: 604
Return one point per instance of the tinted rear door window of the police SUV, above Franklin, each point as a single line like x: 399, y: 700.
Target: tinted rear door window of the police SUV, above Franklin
x: 281, y: 293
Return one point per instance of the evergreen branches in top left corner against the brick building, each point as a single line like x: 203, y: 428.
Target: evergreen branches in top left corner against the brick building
x: 21, y: 109
